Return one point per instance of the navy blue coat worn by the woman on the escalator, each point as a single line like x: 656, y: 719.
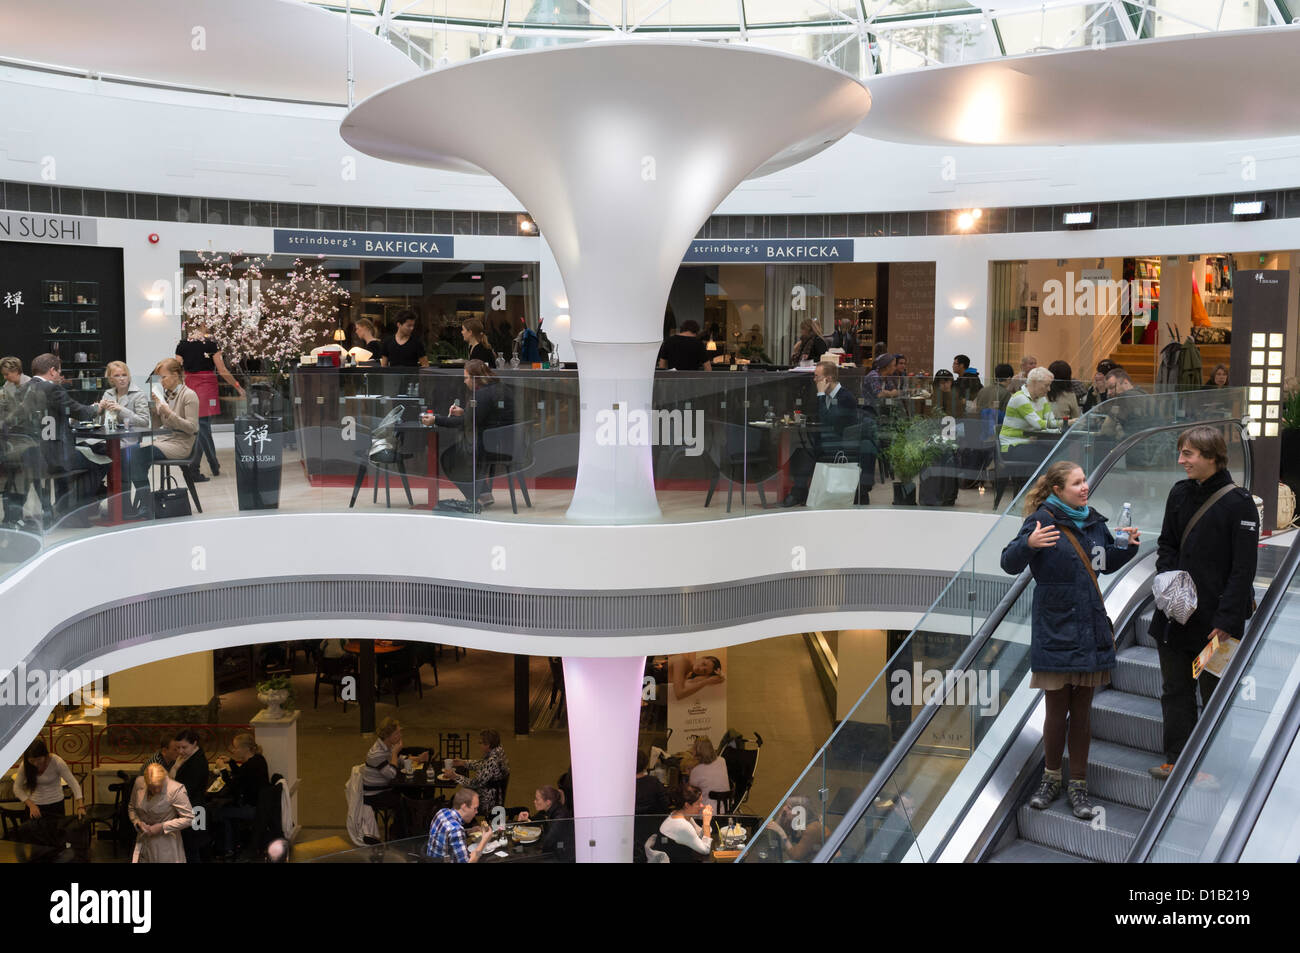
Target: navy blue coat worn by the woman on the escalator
x: 1071, y: 630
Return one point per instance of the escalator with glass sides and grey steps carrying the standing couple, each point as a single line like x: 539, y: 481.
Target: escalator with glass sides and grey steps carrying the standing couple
x: 948, y: 779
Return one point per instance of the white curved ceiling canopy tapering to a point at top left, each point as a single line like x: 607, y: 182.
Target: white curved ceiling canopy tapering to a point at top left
x: 275, y: 49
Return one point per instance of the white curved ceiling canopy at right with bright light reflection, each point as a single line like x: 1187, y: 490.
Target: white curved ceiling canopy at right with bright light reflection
x: 1186, y: 89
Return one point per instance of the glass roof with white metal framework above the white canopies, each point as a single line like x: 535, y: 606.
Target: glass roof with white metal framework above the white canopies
x: 860, y: 37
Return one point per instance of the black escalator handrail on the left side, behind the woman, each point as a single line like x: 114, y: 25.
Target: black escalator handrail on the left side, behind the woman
x: 835, y: 841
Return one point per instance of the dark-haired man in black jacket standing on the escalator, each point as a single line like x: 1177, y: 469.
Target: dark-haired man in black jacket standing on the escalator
x: 1220, y: 553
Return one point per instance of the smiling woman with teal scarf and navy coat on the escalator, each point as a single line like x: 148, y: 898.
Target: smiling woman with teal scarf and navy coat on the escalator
x: 1072, y: 642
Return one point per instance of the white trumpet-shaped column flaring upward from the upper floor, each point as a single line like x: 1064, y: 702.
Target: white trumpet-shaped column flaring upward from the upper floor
x: 621, y: 151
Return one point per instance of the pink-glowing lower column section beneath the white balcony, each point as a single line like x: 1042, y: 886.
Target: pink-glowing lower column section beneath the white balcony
x: 604, y: 698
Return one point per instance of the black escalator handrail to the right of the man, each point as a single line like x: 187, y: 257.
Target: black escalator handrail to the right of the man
x: 1201, y: 738
